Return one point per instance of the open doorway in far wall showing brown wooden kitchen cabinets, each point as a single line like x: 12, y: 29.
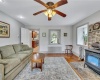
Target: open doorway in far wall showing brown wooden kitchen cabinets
x: 35, y: 40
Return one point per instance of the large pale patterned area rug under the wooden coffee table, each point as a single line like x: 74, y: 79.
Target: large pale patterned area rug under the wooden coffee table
x: 54, y: 68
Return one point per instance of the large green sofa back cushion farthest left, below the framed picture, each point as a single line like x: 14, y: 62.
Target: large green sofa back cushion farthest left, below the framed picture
x: 7, y: 51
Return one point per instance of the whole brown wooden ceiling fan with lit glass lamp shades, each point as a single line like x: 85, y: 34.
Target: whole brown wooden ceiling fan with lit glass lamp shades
x: 50, y: 11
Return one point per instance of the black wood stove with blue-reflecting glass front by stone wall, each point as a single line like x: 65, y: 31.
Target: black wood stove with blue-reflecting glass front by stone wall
x: 92, y: 59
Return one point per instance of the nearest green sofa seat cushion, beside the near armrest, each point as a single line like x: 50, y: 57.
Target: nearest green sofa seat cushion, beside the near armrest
x: 12, y: 63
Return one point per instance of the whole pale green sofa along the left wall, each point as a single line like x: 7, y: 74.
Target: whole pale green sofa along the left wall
x: 13, y: 59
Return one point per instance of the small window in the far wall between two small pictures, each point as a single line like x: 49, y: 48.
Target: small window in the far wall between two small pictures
x: 54, y: 36
